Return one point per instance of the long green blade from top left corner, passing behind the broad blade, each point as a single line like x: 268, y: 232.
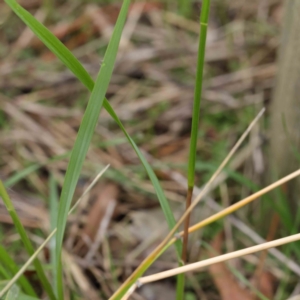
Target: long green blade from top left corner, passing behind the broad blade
x: 64, y: 54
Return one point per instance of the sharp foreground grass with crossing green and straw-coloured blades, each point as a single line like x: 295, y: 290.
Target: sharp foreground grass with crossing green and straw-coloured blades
x: 89, y: 121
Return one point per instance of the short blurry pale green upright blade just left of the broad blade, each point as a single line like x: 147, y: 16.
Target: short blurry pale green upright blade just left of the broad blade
x: 53, y: 198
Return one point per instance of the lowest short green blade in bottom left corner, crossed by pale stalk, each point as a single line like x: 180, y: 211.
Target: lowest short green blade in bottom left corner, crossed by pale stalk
x: 11, y: 266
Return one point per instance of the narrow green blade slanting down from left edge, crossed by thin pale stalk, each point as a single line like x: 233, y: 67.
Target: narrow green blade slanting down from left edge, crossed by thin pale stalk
x: 26, y: 241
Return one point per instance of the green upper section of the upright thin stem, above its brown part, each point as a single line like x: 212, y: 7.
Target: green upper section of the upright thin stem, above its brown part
x: 197, y: 92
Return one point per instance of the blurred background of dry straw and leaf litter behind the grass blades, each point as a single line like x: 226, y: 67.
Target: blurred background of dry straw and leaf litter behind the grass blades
x: 252, y: 61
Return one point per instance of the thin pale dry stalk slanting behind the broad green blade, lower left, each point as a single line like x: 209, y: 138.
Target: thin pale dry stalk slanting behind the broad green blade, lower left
x: 35, y: 254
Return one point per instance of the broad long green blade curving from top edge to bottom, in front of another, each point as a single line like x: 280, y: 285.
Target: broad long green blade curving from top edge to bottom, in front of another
x: 84, y: 136
